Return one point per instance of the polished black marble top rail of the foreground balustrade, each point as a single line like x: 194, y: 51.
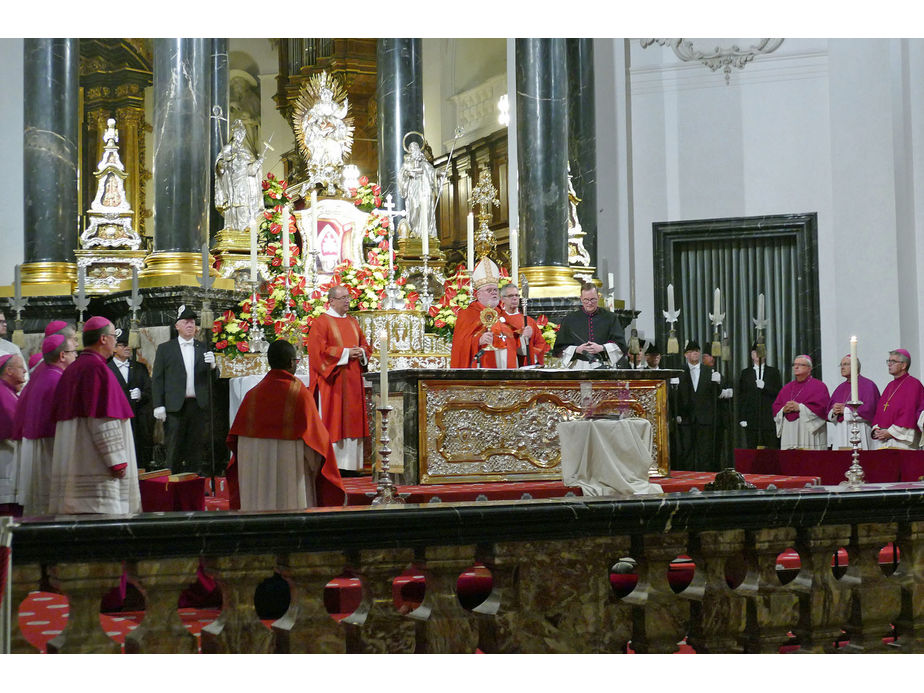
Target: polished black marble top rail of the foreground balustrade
x: 160, y: 535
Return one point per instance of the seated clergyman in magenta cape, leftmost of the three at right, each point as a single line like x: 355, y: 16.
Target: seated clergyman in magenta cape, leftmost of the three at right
x: 800, y: 409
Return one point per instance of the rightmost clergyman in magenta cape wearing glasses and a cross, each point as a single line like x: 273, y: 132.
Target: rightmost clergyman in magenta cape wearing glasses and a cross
x: 895, y: 424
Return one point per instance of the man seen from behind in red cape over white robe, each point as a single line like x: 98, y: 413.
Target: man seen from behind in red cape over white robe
x: 282, y: 458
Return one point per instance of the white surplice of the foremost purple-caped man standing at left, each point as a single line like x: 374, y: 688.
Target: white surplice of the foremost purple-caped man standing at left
x: 84, y: 451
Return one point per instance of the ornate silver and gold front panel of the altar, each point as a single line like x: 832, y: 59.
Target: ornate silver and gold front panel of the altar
x: 507, y: 430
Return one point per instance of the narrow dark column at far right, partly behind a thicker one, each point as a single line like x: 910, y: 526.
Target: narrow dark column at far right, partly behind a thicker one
x: 582, y: 140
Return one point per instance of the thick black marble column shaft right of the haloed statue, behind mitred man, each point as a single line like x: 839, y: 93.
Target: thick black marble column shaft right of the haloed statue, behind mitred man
x: 542, y: 151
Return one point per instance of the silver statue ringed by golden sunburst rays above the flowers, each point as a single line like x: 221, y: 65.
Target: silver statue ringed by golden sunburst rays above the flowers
x: 323, y: 129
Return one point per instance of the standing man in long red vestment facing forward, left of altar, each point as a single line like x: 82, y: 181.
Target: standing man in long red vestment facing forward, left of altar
x: 337, y: 356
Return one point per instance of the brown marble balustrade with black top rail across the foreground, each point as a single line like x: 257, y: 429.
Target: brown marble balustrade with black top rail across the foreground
x: 550, y: 562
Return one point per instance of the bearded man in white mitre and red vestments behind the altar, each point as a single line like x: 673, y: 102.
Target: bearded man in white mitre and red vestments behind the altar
x: 480, y: 339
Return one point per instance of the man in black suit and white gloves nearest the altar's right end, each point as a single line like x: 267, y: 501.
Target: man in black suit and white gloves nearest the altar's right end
x: 697, y: 399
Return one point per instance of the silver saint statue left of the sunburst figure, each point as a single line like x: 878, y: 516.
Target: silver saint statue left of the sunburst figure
x: 238, y: 181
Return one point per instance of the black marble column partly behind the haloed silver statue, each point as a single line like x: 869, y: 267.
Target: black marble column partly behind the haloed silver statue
x: 400, y: 105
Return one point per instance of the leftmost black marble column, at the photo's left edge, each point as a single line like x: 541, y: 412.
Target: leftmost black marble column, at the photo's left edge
x: 50, y: 118
